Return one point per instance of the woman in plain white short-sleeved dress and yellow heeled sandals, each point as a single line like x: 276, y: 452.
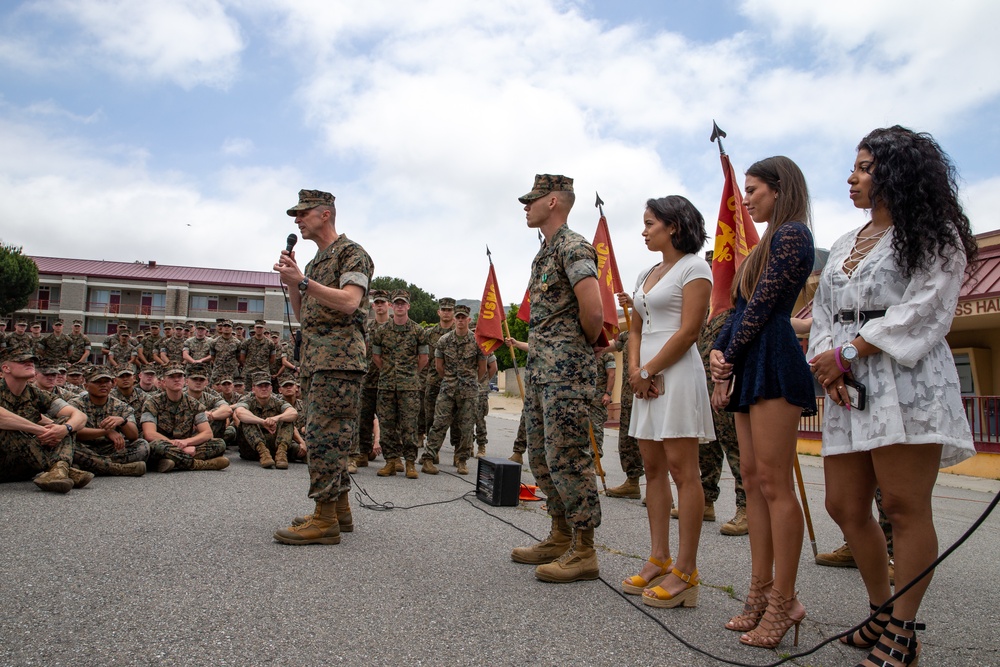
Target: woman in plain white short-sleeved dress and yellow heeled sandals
x: 672, y: 412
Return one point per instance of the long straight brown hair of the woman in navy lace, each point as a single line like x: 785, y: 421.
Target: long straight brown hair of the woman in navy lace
x: 792, y: 204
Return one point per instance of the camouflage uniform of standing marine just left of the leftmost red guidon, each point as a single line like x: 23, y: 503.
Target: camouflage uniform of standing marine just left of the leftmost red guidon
x: 458, y: 396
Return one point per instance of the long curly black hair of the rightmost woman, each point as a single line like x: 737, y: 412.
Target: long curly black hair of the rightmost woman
x: 915, y: 179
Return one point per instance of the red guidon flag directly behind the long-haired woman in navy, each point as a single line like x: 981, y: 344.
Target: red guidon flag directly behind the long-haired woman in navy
x: 735, y: 237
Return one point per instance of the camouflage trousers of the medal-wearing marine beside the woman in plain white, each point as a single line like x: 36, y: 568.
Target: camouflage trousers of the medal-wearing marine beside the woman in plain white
x: 559, y: 453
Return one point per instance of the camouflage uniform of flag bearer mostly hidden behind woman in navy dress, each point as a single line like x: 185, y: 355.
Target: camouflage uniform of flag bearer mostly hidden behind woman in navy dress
x: 710, y: 453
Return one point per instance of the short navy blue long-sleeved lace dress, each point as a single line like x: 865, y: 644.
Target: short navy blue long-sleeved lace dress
x: 759, y: 340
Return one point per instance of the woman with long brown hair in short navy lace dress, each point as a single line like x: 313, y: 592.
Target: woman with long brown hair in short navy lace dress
x: 758, y: 359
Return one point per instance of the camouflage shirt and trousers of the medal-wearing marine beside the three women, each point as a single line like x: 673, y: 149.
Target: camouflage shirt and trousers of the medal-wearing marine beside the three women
x: 561, y: 376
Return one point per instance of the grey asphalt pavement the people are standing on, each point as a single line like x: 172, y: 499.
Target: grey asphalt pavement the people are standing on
x: 181, y: 569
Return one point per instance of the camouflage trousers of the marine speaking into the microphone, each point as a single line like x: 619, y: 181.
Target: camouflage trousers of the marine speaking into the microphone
x: 330, y: 399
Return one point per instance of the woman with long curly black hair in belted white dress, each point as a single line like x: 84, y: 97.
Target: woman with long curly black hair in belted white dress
x: 884, y: 304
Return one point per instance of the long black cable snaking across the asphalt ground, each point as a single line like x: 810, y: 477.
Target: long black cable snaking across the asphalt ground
x: 375, y: 506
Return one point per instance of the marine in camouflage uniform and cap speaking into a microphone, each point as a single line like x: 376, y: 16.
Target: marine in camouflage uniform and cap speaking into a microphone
x: 330, y: 300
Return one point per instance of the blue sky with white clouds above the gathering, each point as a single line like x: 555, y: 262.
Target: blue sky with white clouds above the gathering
x: 180, y: 130
